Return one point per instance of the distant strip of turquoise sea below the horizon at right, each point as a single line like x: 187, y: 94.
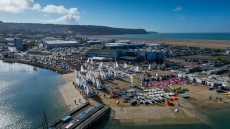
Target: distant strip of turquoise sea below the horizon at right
x: 205, y: 36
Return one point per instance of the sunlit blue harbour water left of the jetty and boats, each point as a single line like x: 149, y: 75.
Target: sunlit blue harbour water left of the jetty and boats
x: 25, y: 92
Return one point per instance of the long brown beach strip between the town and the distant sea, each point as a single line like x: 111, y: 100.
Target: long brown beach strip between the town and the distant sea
x: 221, y: 44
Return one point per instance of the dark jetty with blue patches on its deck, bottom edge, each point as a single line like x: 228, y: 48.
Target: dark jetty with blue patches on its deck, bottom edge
x: 81, y: 117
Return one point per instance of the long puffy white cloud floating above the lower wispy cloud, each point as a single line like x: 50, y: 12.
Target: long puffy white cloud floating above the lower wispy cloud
x: 59, y: 9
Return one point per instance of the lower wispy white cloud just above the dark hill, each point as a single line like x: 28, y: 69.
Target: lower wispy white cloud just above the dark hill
x: 67, y: 19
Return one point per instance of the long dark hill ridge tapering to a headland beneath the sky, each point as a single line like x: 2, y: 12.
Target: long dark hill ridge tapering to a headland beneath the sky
x: 57, y: 28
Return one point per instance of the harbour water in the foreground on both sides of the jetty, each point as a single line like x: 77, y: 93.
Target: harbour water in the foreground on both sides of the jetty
x: 27, y: 91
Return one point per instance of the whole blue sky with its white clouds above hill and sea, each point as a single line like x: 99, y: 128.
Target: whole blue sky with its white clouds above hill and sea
x: 164, y: 16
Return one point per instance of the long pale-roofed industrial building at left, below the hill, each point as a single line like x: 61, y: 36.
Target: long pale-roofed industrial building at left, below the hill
x: 59, y: 43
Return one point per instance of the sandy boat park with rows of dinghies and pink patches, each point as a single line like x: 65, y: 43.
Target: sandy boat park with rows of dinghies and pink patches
x: 132, y: 100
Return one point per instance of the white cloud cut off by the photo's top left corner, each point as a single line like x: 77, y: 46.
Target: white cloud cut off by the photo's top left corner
x: 15, y: 6
